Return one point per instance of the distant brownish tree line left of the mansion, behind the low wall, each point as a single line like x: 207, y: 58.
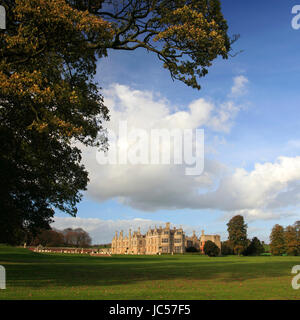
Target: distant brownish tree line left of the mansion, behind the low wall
x: 66, y: 238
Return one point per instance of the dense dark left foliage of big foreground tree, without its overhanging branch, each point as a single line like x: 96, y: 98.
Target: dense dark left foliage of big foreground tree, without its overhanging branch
x: 48, y: 100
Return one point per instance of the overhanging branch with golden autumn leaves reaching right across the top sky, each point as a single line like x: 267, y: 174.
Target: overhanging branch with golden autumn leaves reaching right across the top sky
x: 185, y: 35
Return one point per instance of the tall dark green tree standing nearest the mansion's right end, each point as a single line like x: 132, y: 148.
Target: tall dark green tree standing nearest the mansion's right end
x: 237, y: 234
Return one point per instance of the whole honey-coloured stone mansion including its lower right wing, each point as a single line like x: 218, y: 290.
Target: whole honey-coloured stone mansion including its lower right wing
x: 159, y: 240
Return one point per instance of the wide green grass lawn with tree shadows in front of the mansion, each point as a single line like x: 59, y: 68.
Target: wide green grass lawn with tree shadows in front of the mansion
x: 65, y: 276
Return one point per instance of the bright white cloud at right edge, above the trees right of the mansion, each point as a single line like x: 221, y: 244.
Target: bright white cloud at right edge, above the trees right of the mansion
x: 260, y: 193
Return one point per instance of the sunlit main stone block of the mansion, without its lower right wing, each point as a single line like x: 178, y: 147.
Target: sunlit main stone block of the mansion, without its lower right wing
x: 155, y: 241
